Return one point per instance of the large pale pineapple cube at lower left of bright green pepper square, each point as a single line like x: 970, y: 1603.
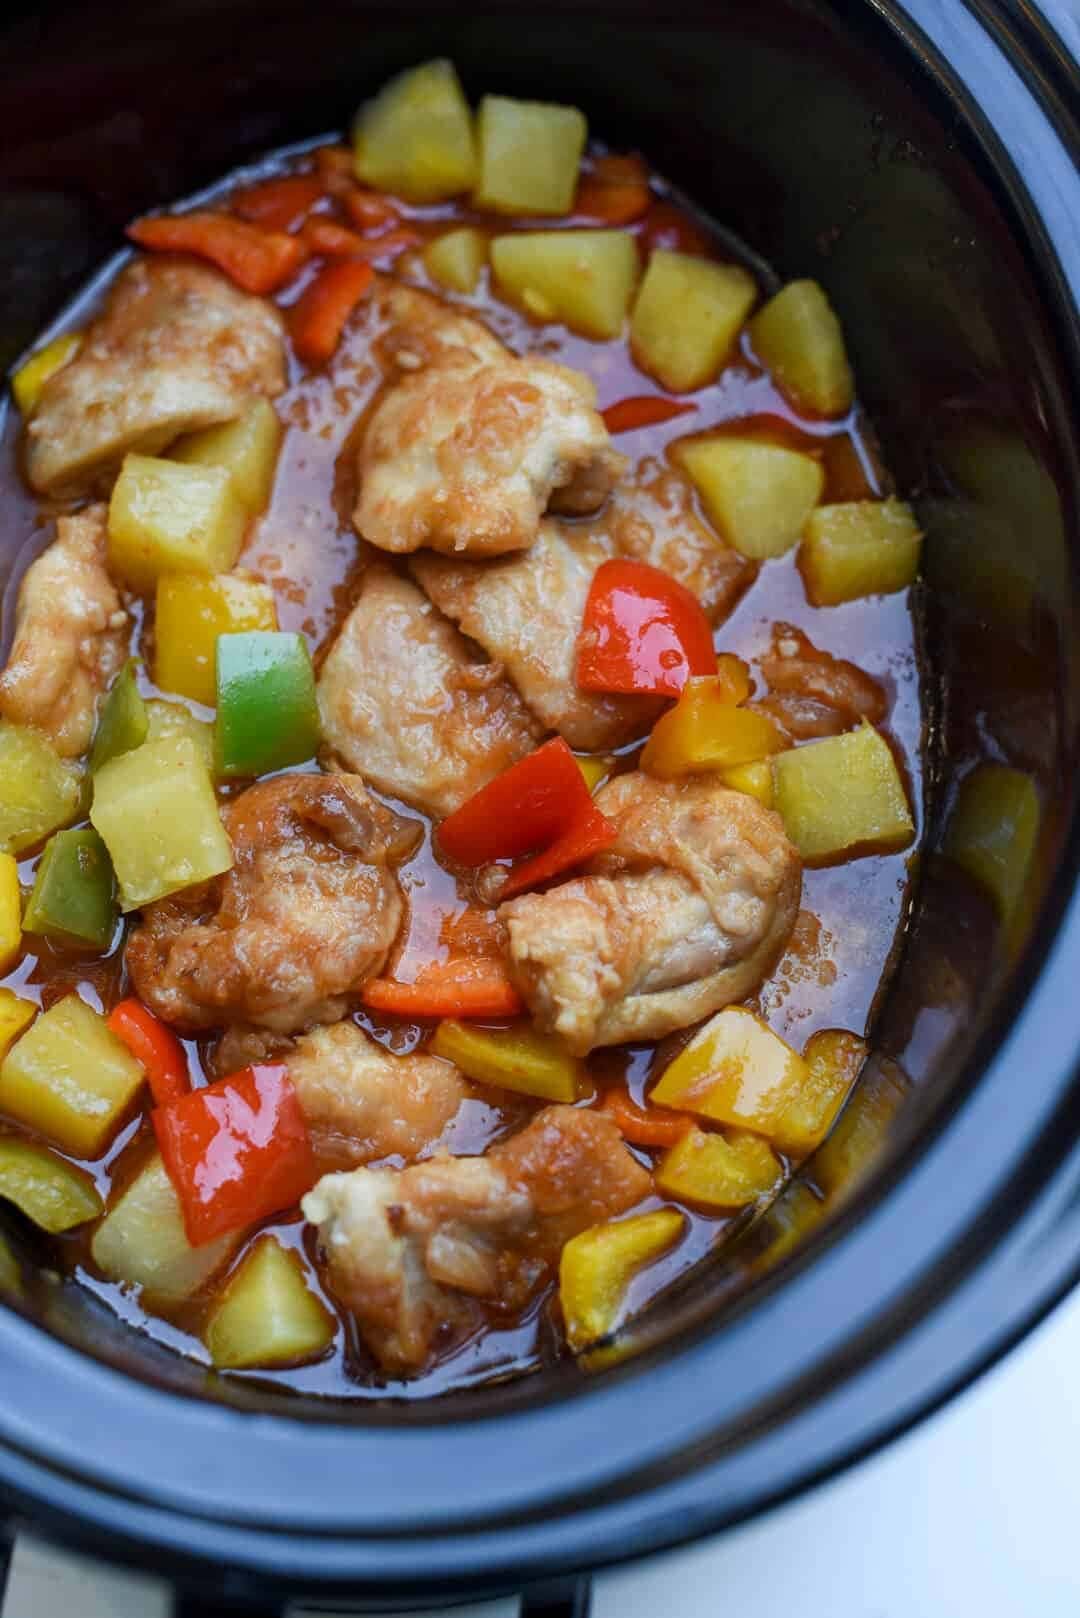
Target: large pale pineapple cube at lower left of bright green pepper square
x: 159, y: 820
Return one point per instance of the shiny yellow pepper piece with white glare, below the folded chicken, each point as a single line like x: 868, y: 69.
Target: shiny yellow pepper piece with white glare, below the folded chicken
x: 741, y: 1074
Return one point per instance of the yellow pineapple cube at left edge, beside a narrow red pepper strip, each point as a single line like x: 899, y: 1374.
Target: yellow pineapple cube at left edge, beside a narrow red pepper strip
x: 70, y: 1078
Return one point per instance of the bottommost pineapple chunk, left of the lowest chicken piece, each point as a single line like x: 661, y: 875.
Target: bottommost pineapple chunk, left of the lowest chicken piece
x: 268, y: 1315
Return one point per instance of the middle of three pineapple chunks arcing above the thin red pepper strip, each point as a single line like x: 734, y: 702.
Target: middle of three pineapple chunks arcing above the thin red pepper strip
x: 687, y: 318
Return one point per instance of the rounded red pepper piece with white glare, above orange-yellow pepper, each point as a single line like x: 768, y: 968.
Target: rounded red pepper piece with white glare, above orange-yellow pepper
x: 644, y: 632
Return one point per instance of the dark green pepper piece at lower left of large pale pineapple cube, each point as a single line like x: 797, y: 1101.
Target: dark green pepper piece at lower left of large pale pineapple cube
x: 75, y: 894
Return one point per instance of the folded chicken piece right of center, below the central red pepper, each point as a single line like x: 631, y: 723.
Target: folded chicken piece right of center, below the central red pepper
x: 682, y: 915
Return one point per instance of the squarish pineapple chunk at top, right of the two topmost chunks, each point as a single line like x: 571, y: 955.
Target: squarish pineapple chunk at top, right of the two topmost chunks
x: 530, y: 155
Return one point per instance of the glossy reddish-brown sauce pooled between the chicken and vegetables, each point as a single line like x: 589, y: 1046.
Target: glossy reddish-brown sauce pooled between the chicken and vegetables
x: 307, y: 549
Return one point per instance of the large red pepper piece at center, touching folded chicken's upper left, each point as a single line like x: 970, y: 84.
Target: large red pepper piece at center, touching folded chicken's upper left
x: 524, y: 810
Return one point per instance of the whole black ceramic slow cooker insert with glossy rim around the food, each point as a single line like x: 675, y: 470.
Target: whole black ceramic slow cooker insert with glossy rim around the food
x: 921, y: 159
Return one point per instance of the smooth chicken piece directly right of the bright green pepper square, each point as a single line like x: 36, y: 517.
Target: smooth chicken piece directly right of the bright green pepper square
x: 406, y: 703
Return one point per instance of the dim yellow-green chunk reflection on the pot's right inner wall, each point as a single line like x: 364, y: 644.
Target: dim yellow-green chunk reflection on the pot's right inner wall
x: 992, y: 834
